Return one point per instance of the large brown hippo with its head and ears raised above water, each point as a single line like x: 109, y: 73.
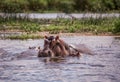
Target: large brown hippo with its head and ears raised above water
x: 55, y: 47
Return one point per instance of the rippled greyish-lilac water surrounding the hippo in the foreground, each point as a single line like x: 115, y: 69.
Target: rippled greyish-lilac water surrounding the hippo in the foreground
x: 18, y: 64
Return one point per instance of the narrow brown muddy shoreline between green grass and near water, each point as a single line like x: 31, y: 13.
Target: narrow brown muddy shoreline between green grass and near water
x: 40, y: 35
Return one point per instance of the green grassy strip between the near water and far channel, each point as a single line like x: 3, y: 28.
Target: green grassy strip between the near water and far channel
x: 54, y: 26
